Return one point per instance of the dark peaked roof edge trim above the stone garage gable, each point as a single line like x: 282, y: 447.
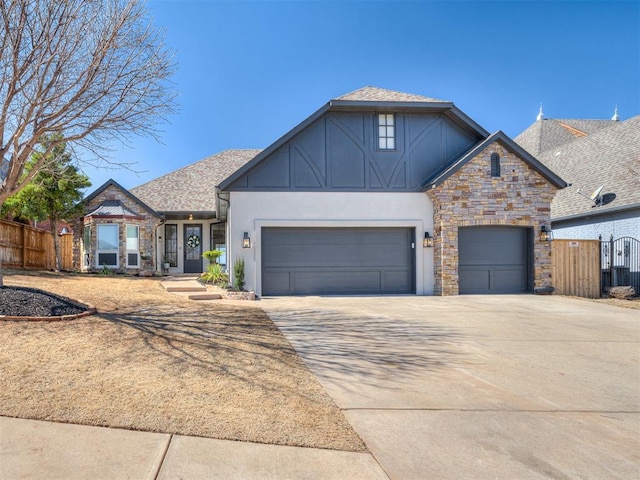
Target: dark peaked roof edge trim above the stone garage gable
x: 510, y: 145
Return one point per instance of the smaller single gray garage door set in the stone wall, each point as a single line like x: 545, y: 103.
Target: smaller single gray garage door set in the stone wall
x: 493, y: 260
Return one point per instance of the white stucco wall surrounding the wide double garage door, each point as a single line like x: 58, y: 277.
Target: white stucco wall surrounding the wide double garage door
x: 251, y: 211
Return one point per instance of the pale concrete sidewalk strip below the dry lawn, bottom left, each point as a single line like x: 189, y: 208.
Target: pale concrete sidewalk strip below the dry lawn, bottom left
x: 34, y: 449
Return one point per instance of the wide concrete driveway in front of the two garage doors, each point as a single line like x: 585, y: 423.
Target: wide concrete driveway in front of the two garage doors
x: 478, y: 386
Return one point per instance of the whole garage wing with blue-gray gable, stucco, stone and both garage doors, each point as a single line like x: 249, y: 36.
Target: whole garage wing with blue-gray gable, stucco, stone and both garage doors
x: 344, y: 202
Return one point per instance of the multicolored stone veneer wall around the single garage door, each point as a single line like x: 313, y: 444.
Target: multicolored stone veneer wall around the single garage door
x: 472, y: 197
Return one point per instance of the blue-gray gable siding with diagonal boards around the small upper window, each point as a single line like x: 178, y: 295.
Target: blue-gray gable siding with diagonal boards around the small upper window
x: 338, y: 152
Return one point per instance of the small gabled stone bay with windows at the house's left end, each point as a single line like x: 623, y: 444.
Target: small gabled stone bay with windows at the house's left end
x: 118, y: 231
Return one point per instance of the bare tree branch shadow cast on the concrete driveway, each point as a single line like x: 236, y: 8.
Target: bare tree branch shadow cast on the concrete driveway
x: 368, y: 347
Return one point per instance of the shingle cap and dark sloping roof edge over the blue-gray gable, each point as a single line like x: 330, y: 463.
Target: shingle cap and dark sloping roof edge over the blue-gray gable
x: 364, y: 99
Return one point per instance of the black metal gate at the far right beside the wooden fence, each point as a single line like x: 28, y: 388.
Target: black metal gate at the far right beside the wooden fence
x: 620, y: 263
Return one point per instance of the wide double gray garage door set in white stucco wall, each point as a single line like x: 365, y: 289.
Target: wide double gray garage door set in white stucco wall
x: 337, y: 261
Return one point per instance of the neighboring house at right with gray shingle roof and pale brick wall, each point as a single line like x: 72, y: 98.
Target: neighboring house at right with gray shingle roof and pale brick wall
x: 600, y: 159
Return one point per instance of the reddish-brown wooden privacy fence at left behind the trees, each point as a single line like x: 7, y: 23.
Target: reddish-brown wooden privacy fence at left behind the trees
x: 22, y: 246
